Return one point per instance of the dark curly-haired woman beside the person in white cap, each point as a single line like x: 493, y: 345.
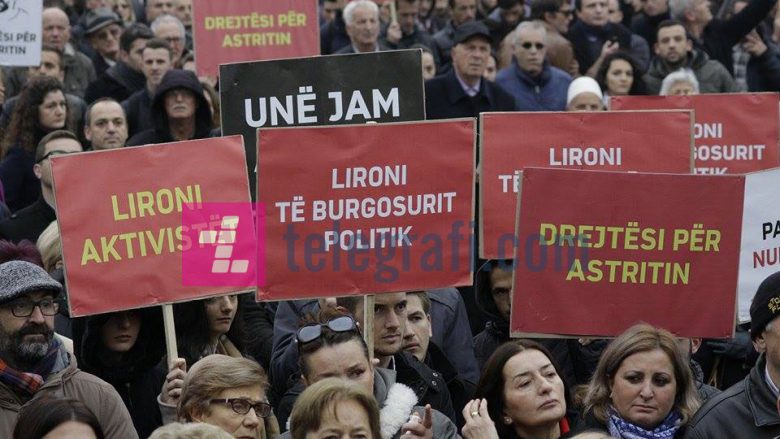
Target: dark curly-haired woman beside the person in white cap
x: 619, y: 75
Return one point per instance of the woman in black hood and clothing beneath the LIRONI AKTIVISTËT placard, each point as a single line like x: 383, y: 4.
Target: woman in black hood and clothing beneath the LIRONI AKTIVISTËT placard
x: 123, y: 349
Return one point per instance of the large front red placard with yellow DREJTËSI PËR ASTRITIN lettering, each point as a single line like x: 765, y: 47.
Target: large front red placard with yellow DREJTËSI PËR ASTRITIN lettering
x: 600, y: 251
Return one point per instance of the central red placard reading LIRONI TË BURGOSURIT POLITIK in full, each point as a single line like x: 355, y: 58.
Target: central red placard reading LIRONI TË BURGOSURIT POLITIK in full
x: 366, y: 208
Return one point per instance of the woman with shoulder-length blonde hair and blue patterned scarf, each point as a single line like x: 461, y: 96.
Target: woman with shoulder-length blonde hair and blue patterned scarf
x: 642, y: 387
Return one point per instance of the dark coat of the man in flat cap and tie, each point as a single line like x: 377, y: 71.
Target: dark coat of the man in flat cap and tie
x: 445, y: 98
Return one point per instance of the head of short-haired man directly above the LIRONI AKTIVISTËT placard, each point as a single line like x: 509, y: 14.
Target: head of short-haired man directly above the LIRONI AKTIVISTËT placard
x: 105, y: 125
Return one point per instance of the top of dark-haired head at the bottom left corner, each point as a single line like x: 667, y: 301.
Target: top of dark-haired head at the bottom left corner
x: 50, y: 418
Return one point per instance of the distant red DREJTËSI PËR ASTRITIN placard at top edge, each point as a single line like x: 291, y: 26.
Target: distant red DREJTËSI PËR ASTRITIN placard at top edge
x: 230, y: 31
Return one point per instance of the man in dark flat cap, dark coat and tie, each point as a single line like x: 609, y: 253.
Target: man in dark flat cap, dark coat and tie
x: 462, y: 92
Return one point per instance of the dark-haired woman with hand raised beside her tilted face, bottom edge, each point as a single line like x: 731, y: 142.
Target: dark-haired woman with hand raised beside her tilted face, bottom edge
x: 521, y: 395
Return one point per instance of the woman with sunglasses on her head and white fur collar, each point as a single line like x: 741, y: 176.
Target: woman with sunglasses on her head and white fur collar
x: 336, y: 349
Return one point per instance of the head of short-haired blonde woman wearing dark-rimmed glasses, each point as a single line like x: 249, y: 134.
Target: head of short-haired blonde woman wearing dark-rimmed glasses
x: 229, y: 393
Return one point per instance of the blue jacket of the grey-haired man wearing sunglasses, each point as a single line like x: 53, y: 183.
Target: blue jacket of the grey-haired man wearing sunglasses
x: 546, y: 92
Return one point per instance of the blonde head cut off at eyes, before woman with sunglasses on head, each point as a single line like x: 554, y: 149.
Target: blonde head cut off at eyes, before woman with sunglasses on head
x: 337, y: 406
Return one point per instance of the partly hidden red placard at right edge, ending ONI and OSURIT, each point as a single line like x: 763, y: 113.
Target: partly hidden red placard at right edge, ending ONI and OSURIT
x: 734, y: 133
